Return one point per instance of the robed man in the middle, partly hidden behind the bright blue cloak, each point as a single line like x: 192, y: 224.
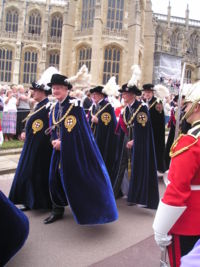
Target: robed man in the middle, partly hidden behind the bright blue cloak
x: 104, y: 128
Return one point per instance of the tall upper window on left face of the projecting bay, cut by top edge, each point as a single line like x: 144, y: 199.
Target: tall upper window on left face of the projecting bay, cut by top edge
x: 88, y: 12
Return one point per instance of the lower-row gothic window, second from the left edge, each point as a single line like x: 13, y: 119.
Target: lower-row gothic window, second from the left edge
x: 30, y: 66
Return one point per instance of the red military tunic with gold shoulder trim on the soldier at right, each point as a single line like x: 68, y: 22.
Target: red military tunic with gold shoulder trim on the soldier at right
x: 184, y: 177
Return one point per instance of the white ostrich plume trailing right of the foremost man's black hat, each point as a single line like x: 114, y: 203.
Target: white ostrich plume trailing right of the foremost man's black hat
x: 82, y: 79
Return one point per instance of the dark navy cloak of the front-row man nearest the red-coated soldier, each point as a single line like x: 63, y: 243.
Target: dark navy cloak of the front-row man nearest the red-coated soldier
x: 143, y: 186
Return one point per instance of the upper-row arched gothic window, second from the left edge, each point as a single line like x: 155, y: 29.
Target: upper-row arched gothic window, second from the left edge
x: 34, y: 24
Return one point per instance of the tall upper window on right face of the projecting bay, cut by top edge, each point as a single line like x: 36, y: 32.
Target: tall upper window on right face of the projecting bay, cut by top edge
x: 115, y: 14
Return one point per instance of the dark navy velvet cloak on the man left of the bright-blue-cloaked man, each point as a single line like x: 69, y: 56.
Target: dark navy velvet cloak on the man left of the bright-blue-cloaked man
x: 30, y: 186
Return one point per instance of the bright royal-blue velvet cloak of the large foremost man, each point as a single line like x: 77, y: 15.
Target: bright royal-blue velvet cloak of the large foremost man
x: 78, y: 175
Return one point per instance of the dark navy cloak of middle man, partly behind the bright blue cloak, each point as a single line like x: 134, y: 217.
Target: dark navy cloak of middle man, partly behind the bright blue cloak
x: 105, y: 136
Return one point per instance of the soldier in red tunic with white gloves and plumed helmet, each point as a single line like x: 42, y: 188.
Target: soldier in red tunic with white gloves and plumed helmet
x: 177, y: 221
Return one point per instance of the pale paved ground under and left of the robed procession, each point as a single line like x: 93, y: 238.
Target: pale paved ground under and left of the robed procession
x: 127, y: 242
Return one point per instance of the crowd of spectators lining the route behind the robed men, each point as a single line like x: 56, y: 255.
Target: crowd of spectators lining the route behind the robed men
x: 16, y: 102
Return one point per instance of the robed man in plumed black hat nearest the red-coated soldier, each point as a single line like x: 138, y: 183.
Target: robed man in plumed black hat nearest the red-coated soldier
x: 137, y: 174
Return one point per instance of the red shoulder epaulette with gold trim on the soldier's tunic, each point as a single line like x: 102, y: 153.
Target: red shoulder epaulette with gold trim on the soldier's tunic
x: 181, y: 144
